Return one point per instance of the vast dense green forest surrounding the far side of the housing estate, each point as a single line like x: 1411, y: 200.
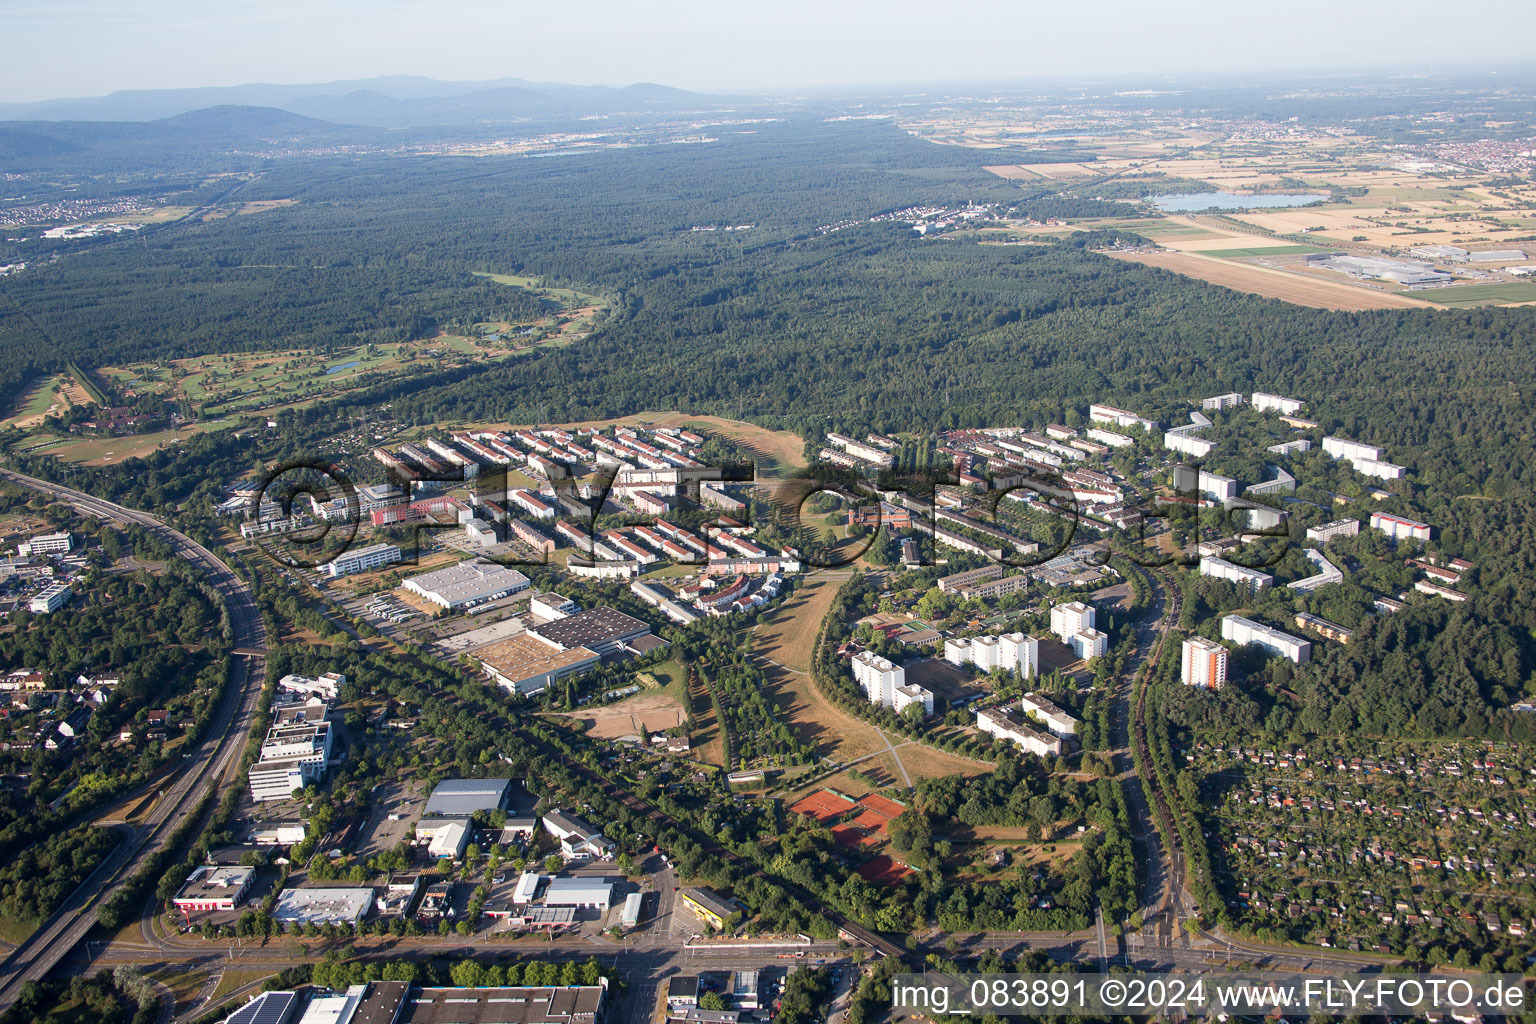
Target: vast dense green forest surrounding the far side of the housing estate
x: 816, y: 319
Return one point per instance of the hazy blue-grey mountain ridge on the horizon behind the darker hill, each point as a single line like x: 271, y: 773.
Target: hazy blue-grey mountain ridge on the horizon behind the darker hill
x: 392, y: 102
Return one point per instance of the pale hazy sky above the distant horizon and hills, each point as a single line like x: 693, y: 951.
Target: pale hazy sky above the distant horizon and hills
x: 81, y: 48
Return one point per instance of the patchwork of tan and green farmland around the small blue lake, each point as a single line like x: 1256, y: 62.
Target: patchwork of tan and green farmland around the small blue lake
x: 1379, y: 202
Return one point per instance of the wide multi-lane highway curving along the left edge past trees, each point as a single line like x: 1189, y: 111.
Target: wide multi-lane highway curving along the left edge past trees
x: 211, y: 765
